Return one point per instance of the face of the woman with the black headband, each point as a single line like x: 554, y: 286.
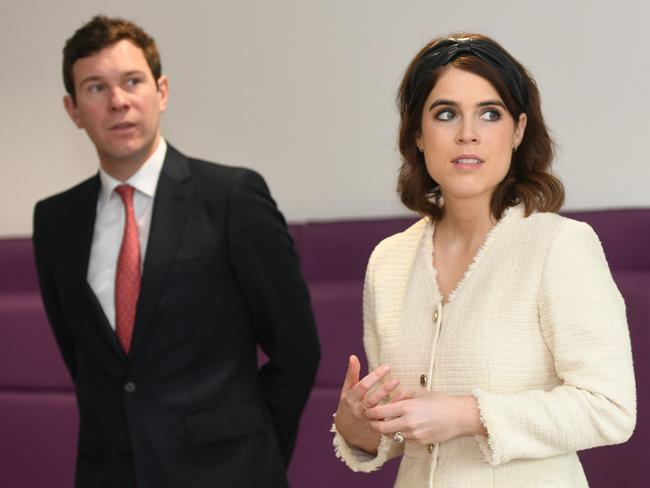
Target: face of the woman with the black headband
x: 467, y: 136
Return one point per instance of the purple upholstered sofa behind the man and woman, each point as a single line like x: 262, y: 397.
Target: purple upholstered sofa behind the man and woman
x: 38, y: 417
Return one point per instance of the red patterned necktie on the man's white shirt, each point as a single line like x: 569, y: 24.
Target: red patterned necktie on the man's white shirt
x: 127, y: 278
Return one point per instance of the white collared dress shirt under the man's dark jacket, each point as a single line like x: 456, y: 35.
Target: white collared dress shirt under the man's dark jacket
x: 109, y: 226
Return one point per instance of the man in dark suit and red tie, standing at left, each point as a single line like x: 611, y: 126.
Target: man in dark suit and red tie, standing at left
x: 160, y: 275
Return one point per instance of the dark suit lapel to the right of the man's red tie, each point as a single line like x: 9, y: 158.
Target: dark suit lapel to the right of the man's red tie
x: 171, y: 203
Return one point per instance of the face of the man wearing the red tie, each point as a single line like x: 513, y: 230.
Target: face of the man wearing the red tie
x: 118, y: 103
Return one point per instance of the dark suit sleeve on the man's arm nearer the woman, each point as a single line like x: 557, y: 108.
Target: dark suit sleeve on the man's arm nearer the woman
x: 267, y: 269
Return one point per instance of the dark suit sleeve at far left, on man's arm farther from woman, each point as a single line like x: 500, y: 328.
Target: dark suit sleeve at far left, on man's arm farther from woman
x: 45, y: 267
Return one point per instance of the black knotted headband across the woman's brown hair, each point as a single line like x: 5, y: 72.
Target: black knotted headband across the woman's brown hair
x: 447, y: 50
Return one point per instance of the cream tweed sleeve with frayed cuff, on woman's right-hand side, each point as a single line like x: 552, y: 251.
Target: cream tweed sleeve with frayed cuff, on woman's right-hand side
x: 582, y: 317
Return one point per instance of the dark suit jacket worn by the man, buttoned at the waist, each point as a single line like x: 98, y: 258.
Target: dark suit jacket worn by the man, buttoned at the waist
x: 188, y: 407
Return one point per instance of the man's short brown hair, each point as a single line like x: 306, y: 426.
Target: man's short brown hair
x: 101, y: 32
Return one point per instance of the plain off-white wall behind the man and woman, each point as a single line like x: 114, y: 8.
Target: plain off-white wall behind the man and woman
x: 304, y: 92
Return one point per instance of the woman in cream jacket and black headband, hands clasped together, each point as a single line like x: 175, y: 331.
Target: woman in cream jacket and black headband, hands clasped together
x: 496, y: 338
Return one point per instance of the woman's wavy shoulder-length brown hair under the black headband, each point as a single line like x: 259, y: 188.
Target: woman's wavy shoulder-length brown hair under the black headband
x: 528, y: 181
